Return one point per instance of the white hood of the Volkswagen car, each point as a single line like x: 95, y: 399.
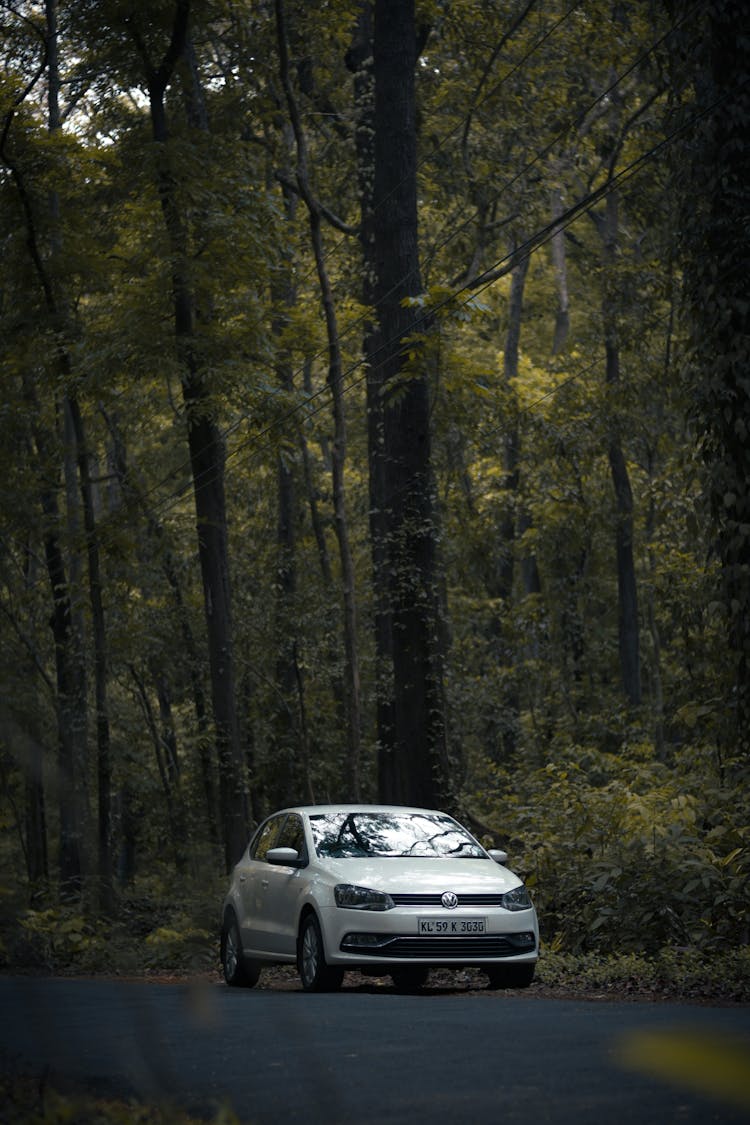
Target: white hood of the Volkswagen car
x: 423, y: 877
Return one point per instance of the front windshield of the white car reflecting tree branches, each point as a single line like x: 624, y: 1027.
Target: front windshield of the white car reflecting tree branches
x: 388, y: 835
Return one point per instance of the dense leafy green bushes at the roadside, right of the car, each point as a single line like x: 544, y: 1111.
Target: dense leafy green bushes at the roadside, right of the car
x: 626, y: 853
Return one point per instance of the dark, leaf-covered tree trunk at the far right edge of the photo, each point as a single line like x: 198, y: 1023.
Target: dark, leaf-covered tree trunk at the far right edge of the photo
x: 713, y: 190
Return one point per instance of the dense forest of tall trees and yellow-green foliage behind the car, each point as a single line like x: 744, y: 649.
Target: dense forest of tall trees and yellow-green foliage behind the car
x: 375, y: 413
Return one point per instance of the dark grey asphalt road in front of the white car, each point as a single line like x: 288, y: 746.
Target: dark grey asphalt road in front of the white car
x: 440, y: 1058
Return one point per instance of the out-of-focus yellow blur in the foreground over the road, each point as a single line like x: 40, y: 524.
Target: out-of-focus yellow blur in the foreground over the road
x: 717, y: 1066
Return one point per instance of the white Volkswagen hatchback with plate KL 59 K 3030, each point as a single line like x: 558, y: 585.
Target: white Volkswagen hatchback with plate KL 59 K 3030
x: 381, y: 889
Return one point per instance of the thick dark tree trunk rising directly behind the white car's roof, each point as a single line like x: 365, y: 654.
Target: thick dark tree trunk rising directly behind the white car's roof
x: 419, y: 771
